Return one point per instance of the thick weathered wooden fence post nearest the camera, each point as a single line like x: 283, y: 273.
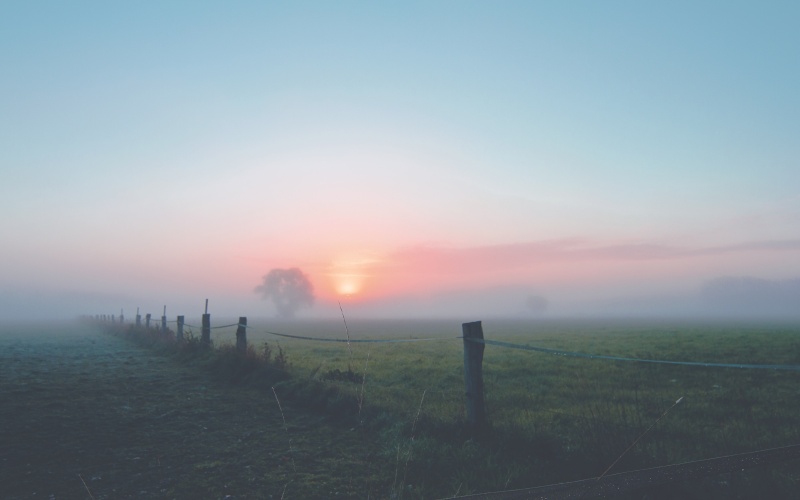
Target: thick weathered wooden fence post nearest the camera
x: 473, y: 375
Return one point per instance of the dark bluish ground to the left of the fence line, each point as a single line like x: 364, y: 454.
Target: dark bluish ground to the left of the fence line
x: 78, y: 406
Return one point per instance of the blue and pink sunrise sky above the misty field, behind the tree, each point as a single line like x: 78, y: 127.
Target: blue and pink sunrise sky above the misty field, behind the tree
x: 410, y: 158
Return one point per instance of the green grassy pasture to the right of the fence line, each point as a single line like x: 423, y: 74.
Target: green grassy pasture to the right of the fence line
x: 553, y: 418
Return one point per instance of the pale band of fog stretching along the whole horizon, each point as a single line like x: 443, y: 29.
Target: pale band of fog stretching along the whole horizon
x: 733, y: 297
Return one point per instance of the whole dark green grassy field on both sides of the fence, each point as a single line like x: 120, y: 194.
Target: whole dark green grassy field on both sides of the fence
x: 386, y: 420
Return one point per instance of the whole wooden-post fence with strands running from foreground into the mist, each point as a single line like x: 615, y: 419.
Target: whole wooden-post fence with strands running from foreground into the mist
x: 474, y: 345
